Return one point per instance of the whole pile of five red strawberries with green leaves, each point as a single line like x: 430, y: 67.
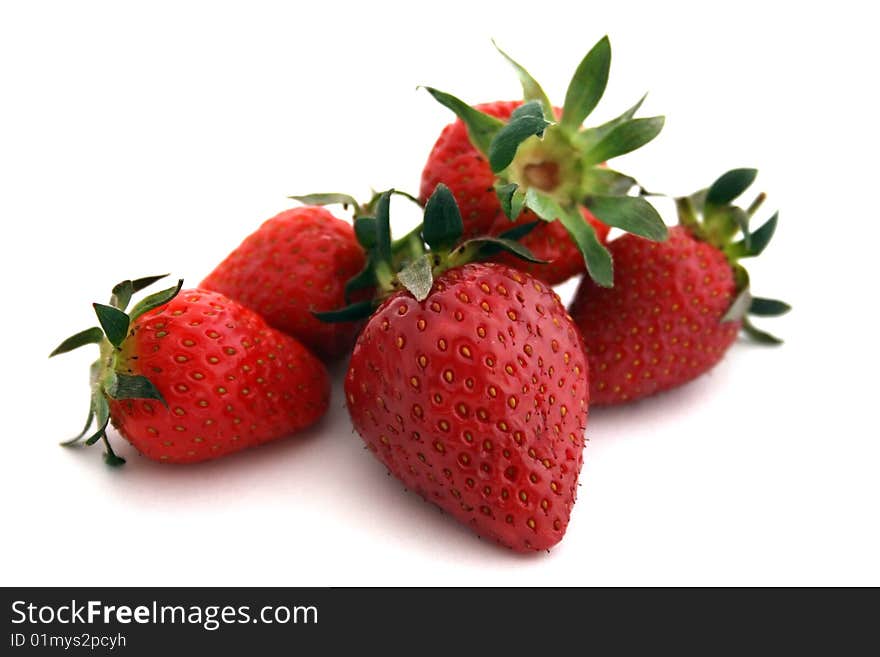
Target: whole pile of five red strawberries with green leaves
x: 468, y: 378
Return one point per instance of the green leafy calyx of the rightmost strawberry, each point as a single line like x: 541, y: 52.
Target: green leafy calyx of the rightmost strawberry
x: 710, y: 216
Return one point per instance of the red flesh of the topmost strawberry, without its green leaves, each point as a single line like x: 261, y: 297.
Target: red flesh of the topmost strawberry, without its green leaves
x: 455, y: 162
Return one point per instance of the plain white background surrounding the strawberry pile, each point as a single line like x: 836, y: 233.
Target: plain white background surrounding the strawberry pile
x: 150, y: 137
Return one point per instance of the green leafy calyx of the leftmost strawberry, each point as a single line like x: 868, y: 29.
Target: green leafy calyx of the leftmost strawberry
x: 106, y: 380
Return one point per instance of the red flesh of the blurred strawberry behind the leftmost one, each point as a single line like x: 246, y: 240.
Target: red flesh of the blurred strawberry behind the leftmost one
x: 295, y: 263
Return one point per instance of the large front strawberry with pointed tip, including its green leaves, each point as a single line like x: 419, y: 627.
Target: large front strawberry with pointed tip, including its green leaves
x: 470, y: 384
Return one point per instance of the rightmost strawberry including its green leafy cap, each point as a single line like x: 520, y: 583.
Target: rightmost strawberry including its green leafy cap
x: 675, y: 307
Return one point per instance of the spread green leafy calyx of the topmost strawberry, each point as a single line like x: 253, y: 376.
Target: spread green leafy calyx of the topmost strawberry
x: 554, y: 168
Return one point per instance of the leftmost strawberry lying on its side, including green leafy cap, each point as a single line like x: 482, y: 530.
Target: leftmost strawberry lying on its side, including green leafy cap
x: 192, y: 375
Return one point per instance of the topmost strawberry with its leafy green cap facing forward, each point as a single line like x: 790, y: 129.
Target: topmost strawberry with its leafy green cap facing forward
x: 511, y: 161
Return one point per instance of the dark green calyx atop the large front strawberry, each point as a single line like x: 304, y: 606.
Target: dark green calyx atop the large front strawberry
x: 430, y: 249
